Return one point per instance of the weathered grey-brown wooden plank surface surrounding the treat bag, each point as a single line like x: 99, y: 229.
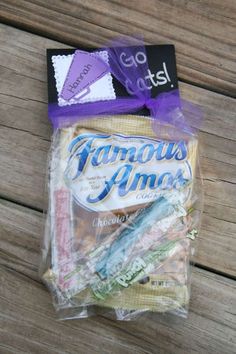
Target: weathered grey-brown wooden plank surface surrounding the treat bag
x: 204, y: 33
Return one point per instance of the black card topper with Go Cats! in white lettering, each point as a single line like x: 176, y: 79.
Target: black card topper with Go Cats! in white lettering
x: 161, y: 75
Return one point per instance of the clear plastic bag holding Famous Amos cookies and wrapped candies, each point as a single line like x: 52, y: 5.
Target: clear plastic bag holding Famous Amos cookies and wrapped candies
x: 124, y: 211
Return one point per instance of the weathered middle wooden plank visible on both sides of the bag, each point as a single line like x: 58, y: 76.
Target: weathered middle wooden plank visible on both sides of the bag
x: 25, y: 134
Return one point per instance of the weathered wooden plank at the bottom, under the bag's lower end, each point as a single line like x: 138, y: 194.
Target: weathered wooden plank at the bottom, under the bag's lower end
x: 27, y: 319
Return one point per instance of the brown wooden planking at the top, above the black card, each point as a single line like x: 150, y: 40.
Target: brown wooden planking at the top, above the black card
x: 204, y: 32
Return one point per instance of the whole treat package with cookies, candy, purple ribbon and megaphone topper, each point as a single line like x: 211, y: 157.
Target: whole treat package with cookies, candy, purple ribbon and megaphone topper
x: 125, y: 194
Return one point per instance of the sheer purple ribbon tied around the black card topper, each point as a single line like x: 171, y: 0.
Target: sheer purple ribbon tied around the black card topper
x: 166, y: 108
